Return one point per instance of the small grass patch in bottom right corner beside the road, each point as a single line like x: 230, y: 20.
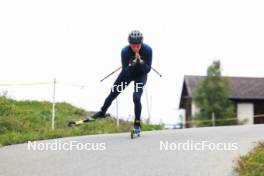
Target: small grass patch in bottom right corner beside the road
x: 252, y: 164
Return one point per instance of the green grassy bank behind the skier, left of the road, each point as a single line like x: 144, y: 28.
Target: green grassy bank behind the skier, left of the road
x: 21, y: 121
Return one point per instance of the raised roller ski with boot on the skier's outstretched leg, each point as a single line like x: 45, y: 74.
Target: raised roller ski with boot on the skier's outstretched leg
x: 87, y: 119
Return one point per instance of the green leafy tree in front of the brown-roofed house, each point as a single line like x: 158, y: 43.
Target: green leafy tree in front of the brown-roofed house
x: 211, y: 97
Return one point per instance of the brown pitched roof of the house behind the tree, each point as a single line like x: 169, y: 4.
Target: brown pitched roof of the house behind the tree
x: 239, y: 87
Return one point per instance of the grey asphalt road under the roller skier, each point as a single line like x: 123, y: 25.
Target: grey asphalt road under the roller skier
x: 118, y: 155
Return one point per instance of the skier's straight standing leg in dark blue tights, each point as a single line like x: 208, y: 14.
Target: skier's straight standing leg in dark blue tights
x: 138, y: 90
